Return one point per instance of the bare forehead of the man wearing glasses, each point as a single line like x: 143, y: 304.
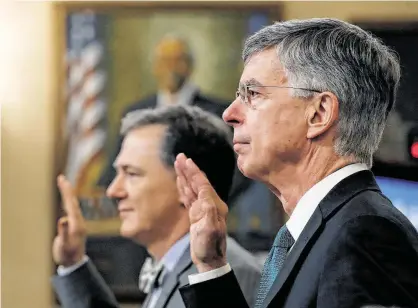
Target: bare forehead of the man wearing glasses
x: 264, y: 67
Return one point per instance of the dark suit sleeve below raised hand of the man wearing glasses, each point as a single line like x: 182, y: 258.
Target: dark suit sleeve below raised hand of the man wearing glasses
x: 222, y: 292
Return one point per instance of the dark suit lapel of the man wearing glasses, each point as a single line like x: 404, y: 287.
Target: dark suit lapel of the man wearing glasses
x: 333, y: 201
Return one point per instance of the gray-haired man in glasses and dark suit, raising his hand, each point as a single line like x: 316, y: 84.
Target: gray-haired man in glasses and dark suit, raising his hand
x: 311, y: 107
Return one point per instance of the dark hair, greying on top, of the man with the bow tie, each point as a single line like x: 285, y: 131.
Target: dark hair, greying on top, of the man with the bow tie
x: 198, y: 134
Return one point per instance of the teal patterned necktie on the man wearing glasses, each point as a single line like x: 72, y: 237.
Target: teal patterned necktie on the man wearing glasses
x: 274, y: 263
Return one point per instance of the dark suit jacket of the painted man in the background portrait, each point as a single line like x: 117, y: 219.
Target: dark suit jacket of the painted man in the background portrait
x: 198, y: 100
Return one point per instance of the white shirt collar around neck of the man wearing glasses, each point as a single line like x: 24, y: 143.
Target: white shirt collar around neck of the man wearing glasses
x: 311, y: 199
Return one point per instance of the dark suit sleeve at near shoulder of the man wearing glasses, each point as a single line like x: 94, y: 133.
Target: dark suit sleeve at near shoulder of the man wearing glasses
x: 373, y: 261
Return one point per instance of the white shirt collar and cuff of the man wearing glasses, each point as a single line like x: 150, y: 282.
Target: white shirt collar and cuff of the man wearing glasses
x: 300, y: 216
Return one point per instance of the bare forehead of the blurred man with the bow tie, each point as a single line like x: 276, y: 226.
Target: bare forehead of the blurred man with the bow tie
x: 140, y: 144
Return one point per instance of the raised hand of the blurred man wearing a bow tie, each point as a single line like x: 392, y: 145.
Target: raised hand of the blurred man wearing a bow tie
x: 69, y: 245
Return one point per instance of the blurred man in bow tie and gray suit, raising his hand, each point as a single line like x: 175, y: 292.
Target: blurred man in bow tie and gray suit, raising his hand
x: 150, y: 209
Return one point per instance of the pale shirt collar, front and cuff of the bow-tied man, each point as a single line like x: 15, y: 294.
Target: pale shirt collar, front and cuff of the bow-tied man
x: 170, y: 260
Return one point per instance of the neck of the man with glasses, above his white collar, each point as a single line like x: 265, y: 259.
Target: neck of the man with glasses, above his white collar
x: 293, y: 181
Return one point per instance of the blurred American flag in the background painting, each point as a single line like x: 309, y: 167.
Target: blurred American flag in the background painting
x: 86, y: 103
